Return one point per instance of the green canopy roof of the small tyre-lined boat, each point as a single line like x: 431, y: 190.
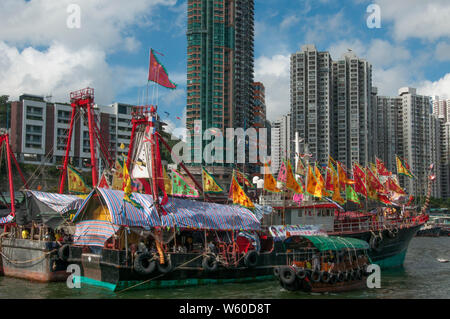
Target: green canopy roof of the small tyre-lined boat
x: 335, y: 243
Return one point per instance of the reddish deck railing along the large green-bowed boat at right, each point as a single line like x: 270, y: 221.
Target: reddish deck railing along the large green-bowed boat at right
x: 356, y: 225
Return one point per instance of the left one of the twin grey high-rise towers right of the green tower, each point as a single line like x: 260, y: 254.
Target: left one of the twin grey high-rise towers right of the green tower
x: 311, y: 104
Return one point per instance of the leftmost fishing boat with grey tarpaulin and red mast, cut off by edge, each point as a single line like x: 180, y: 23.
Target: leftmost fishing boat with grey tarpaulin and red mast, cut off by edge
x: 29, y: 248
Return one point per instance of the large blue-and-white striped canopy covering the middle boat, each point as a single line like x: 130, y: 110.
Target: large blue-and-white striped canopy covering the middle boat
x: 108, y: 205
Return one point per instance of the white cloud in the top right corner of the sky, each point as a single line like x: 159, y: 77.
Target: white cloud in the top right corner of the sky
x: 428, y: 20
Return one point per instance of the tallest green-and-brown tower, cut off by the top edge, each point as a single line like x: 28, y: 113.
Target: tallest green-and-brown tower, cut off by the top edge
x: 220, y: 36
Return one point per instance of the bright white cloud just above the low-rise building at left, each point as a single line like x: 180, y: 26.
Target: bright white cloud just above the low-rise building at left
x: 56, y: 70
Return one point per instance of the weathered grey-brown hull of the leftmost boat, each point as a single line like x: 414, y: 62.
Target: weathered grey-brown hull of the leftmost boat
x: 32, y: 260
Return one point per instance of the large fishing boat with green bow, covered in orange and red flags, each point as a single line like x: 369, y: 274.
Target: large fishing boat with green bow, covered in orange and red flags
x: 388, y: 227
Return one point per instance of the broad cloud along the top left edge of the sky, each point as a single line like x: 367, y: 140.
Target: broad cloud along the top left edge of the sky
x: 103, y: 22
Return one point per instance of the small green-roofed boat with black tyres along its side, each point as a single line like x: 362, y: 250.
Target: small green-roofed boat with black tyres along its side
x: 324, y: 264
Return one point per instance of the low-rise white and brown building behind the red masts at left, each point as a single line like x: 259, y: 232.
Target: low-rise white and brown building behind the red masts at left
x: 39, y: 131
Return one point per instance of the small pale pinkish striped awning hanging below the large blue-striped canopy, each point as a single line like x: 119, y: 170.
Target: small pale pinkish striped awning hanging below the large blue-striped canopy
x: 94, y: 233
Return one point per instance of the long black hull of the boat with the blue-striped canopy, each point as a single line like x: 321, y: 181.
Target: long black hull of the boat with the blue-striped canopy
x: 113, y: 270
